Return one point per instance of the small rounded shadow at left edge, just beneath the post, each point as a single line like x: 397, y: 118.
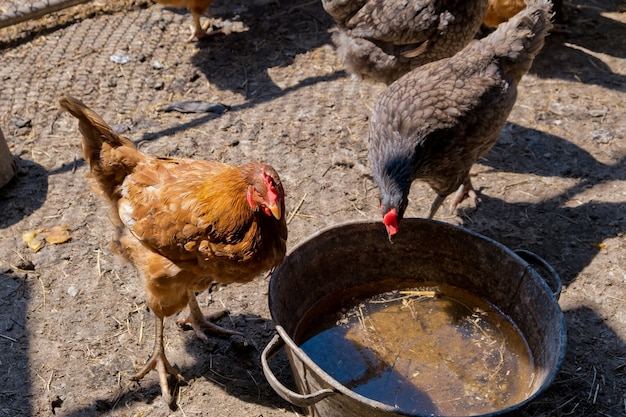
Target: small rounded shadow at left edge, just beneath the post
x: 24, y: 194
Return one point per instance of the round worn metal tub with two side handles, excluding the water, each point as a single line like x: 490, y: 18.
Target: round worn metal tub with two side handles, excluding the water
x: 357, y: 257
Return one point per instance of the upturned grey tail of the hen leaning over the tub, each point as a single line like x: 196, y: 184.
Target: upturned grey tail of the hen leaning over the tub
x: 521, y: 38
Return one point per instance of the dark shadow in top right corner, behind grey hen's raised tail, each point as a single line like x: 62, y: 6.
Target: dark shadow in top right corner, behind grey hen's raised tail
x: 573, y: 55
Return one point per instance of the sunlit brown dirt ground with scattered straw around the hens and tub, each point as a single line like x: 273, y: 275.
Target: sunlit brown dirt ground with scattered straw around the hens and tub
x: 73, y: 322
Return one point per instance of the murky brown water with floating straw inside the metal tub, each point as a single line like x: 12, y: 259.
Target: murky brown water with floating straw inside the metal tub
x: 433, y: 350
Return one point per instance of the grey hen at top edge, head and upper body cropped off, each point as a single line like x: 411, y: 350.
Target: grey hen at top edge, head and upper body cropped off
x: 384, y: 39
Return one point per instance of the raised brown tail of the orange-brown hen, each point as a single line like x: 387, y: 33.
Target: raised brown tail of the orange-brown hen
x: 110, y: 156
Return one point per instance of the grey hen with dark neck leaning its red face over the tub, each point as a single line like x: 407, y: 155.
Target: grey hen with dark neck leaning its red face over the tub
x: 436, y: 121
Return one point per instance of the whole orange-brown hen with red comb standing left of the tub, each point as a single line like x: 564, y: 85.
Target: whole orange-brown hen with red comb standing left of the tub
x: 184, y: 224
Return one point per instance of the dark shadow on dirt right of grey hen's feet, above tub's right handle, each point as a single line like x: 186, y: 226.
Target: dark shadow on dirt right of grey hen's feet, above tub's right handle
x: 566, y: 233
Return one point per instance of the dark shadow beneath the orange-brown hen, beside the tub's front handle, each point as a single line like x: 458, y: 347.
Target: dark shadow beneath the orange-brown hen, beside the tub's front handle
x: 231, y: 363
